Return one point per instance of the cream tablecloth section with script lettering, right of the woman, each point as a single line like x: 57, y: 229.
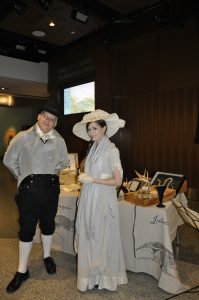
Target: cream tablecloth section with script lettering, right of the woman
x: 147, y: 234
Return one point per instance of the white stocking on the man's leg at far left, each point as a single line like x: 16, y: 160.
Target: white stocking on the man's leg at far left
x: 24, y: 251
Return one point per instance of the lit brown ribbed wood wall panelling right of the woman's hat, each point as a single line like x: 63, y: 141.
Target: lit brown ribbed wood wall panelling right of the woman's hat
x: 162, y: 134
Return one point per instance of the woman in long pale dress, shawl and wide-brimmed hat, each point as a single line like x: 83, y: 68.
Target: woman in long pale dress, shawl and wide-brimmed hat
x: 97, y: 237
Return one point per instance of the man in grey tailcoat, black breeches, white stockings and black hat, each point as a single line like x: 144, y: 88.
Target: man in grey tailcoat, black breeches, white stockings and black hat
x: 35, y: 157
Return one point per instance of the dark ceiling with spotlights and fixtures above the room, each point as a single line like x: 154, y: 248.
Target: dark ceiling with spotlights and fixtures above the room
x: 116, y: 20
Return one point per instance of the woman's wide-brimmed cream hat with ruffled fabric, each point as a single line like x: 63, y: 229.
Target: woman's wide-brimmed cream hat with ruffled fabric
x: 113, y: 123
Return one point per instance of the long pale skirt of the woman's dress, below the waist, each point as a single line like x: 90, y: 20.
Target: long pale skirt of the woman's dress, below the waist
x: 97, y: 239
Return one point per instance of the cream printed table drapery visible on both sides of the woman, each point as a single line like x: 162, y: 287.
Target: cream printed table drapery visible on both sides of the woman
x: 146, y: 232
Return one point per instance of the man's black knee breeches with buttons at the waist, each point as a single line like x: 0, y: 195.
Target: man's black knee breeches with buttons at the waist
x: 37, y: 202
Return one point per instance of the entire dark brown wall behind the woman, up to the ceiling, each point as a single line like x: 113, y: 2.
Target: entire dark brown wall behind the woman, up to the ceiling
x: 153, y: 83
